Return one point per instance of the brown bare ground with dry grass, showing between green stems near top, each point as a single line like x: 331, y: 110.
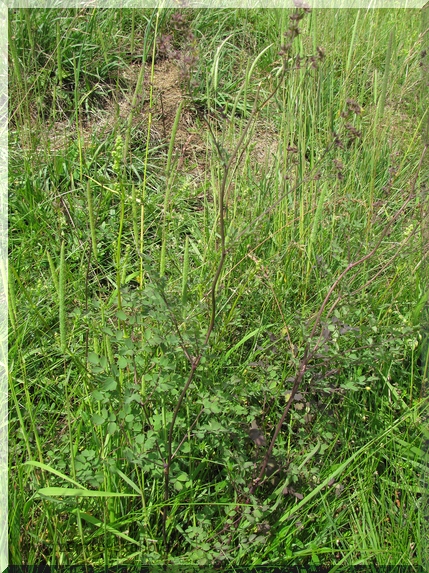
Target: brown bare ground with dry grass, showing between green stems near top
x: 167, y: 94
